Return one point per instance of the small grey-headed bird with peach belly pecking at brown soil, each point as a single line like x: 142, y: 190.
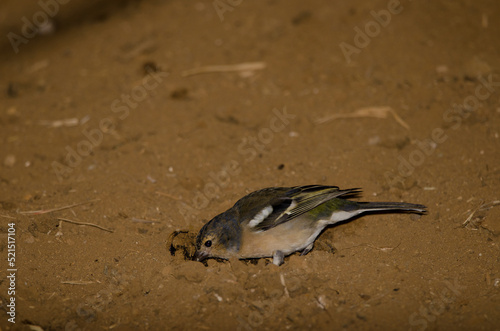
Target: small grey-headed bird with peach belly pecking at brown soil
x: 278, y: 221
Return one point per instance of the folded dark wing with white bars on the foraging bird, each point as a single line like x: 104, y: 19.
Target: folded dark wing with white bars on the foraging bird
x: 270, y: 207
